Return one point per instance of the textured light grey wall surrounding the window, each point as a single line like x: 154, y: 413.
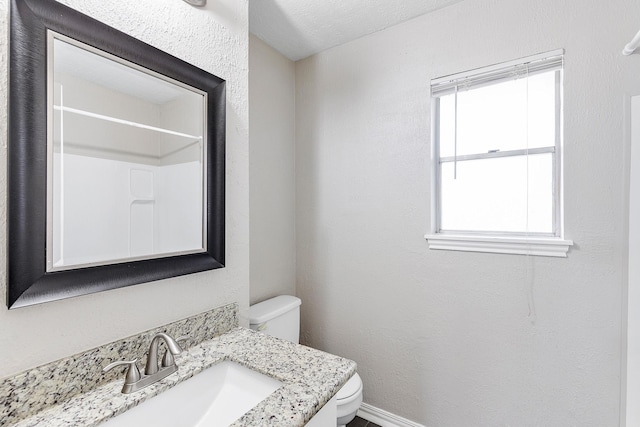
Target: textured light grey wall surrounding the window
x: 452, y: 338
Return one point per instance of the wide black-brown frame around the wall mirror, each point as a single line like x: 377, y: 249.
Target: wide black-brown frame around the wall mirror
x: 28, y: 282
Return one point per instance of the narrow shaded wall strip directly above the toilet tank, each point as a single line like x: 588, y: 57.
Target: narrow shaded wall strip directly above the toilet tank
x: 272, y: 114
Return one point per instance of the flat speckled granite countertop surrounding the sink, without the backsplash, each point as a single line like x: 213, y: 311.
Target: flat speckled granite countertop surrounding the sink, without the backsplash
x: 310, y: 379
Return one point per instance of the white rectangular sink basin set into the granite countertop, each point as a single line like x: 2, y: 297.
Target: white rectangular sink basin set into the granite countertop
x: 215, y: 397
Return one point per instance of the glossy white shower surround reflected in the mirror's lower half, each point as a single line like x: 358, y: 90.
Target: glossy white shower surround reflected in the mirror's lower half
x: 117, y: 210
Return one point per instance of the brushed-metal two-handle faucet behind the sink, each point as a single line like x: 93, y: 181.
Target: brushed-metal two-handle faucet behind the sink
x: 134, y: 380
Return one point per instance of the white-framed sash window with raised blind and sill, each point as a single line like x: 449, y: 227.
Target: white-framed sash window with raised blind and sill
x: 497, y: 135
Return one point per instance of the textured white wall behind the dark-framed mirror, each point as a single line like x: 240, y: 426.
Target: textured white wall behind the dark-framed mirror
x: 214, y: 38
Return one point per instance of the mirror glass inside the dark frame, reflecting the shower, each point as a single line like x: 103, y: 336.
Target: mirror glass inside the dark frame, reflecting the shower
x: 125, y: 160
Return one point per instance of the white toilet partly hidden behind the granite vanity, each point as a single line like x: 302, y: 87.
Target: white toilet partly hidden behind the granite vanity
x: 280, y: 317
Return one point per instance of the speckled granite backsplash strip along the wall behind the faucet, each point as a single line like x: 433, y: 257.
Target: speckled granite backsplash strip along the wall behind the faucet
x: 39, y: 388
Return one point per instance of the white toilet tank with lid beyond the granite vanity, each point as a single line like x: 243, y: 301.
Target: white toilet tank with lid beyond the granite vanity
x: 279, y: 317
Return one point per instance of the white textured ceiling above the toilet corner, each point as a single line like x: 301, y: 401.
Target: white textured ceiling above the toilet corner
x: 300, y: 28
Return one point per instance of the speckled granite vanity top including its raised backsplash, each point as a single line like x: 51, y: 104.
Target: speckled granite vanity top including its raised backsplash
x: 75, y: 391
